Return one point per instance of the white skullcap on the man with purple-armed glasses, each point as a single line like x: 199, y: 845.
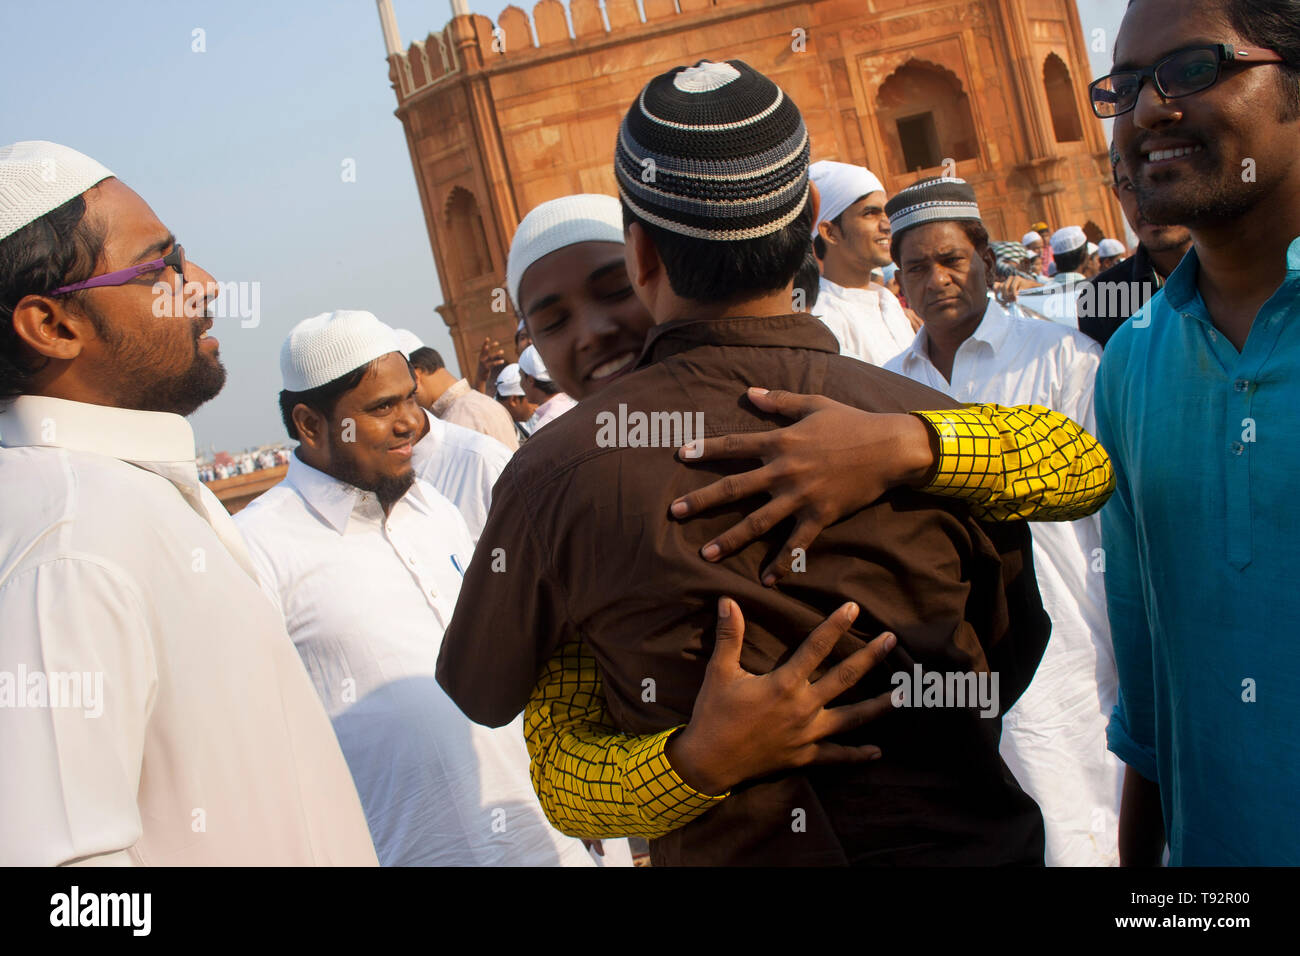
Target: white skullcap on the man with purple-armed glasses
x: 38, y: 178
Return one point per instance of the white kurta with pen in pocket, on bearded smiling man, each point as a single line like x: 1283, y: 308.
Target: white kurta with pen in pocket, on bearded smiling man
x: 367, y: 600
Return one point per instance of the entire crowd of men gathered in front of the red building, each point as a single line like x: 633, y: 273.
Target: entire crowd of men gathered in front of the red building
x: 892, y: 604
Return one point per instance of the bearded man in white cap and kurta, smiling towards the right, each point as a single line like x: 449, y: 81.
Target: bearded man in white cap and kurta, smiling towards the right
x: 365, y: 560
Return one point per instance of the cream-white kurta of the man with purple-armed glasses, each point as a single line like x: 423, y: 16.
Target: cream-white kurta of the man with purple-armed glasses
x: 207, y: 745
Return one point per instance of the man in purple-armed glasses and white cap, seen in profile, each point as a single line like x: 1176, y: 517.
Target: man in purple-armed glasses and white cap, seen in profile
x: 175, y: 724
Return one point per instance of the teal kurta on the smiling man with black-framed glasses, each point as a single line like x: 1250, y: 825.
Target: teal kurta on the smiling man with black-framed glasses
x: 1203, y: 556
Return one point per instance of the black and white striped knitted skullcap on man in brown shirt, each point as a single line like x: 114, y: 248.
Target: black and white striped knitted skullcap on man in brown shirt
x: 714, y: 152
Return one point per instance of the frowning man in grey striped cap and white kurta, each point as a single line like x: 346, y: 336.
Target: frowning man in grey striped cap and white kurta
x: 1055, y: 738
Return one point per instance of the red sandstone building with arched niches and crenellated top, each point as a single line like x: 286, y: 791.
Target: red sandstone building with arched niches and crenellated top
x: 501, y: 118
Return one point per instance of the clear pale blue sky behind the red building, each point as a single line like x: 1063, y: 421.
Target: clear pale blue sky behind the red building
x: 241, y: 152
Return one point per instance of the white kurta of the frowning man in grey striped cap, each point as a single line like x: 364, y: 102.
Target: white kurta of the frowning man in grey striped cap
x: 1055, y: 738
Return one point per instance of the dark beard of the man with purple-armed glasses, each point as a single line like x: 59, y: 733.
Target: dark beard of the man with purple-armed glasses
x: 137, y: 379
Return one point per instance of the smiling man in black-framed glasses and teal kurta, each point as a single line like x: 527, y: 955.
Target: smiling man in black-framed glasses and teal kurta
x: 1198, y: 409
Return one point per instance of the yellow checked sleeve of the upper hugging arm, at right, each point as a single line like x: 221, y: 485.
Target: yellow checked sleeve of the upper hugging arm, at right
x: 1028, y: 462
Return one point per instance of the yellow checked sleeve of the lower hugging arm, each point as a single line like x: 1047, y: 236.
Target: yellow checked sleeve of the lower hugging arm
x: 592, y: 781
